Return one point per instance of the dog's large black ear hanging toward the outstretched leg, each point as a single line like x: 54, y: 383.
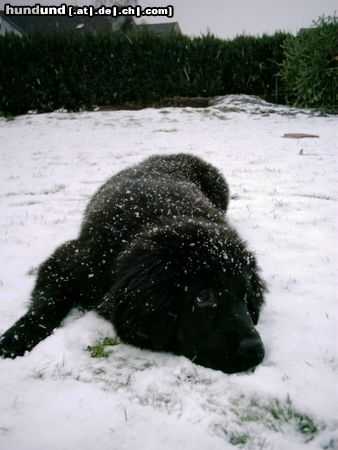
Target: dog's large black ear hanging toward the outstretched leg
x: 141, y: 304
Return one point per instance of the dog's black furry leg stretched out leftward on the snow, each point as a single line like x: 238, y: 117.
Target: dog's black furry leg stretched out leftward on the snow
x: 52, y: 299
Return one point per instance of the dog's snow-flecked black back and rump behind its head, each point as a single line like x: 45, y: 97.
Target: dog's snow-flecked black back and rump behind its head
x: 160, y: 187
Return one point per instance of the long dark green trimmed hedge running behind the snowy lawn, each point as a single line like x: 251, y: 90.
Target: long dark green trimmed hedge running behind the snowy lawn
x: 79, y: 70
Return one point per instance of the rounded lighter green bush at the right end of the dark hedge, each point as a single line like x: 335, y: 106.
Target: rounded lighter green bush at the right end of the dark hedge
x: 310, y: 67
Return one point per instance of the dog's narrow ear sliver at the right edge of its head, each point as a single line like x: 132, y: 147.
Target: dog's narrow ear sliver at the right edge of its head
x: 255, y: 289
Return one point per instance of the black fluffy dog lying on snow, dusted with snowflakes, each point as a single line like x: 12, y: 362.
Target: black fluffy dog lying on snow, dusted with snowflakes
x: 157, y: 258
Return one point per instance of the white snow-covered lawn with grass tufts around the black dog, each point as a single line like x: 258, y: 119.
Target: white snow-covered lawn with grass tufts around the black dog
x: 284, y: 202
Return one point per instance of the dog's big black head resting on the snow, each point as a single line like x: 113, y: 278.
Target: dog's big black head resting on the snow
x: 192, y: 288
